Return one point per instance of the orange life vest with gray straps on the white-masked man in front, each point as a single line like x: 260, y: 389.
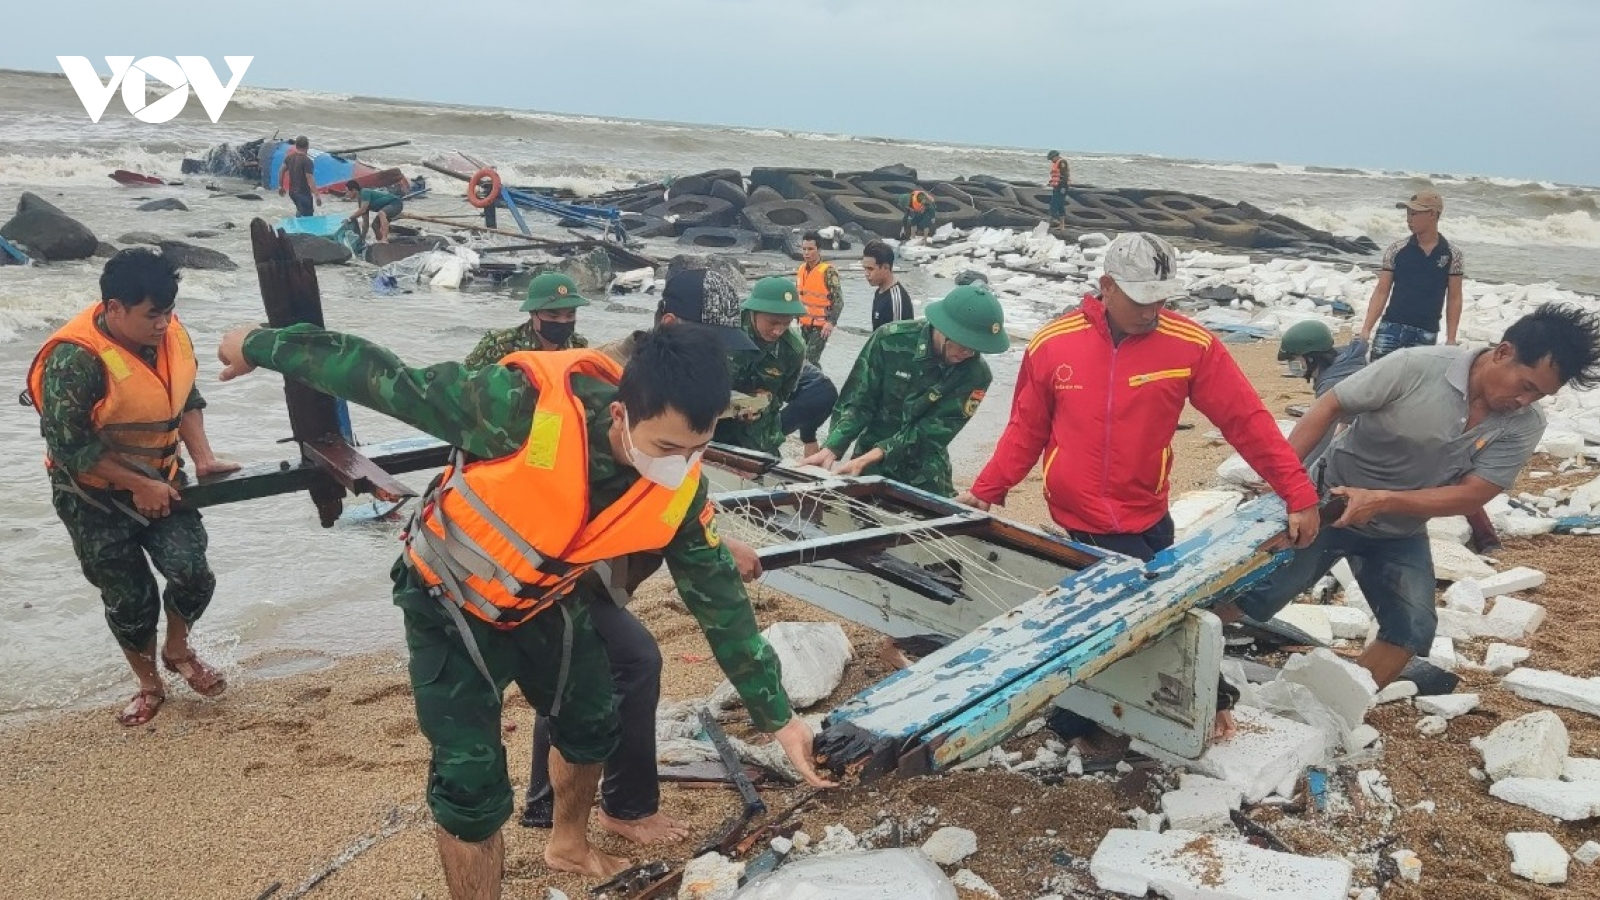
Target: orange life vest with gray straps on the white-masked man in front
x: 506, y: 539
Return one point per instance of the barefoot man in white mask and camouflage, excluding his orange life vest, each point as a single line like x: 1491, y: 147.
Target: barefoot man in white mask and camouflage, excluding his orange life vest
x: 489, y: 414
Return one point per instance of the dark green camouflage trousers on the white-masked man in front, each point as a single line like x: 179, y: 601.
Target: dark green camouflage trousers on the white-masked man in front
x: 460, y: 712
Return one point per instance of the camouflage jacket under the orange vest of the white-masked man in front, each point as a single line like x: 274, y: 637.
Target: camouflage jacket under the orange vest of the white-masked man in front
x: 487, y: 412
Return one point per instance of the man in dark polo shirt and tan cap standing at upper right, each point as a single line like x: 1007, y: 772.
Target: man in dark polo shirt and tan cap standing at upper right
x: 1422, y: 278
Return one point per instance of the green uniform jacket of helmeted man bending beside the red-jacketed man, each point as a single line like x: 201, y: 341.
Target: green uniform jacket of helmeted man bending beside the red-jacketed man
x: 902, y: 400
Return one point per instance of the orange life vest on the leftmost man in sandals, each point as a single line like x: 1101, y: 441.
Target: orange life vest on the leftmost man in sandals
x: 138, y: 417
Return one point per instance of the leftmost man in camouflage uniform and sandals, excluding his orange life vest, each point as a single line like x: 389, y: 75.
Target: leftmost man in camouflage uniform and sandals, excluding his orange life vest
x: 140, y: 516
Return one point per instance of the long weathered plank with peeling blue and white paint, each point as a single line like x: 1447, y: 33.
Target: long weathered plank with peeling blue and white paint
x: 969, y: 696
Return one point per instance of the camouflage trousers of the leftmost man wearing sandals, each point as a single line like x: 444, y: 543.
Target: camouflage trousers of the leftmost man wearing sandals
x: 118, y: 553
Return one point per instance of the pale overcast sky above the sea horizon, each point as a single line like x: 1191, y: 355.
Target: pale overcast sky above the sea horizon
x: 1428, y: 86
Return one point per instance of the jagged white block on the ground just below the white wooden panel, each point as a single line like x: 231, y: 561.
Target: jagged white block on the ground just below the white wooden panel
x: 1266, y: 753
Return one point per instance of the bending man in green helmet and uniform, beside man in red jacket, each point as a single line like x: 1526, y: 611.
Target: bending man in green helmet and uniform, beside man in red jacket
x: 913, y: 390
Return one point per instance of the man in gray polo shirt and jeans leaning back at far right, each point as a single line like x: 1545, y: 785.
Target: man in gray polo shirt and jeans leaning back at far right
x: 1434, y: 432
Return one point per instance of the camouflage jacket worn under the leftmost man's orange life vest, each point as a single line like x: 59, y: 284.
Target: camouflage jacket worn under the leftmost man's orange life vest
x: 74, y: 384
